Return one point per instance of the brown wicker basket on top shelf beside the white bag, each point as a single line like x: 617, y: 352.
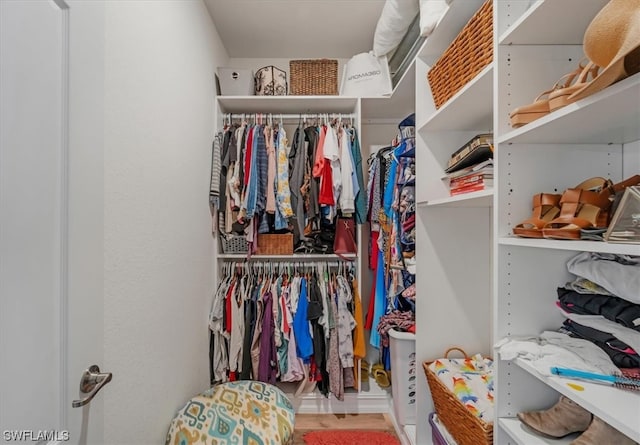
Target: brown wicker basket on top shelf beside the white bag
x: 314, y: 77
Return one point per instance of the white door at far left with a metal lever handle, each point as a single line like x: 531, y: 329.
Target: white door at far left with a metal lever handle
x: 51, y: 236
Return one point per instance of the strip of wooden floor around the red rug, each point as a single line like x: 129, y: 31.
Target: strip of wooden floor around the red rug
x: 314, y: 422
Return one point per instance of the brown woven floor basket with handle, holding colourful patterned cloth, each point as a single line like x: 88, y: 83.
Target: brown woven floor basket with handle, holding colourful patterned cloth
x: 462, y: 424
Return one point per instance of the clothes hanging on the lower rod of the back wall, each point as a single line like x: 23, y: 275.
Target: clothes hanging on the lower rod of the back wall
x: 269, y: 325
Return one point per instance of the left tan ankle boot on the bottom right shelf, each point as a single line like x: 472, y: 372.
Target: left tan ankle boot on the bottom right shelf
x: 565, y: 417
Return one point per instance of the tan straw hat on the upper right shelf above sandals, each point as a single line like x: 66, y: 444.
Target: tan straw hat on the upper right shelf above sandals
x: 612, y: 41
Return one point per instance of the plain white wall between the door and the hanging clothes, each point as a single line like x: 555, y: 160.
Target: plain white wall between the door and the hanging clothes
x: 160, y: 62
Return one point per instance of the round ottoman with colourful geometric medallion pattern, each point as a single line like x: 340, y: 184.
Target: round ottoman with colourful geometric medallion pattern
x: 235, y: 413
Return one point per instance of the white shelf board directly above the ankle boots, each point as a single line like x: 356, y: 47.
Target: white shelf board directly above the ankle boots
x: 617, y: 407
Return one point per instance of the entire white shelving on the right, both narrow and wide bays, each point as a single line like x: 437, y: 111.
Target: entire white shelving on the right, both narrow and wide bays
x: 477, y: 283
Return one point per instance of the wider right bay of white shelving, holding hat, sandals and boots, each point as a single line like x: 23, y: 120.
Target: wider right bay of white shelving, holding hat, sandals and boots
x: 596, y: 136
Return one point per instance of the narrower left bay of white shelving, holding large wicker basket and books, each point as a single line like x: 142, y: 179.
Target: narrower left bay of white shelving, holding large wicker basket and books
x: 453, y: 233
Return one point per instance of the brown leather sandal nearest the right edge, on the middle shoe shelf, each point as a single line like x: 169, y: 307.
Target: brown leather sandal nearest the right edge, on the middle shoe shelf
x: 585, y: 206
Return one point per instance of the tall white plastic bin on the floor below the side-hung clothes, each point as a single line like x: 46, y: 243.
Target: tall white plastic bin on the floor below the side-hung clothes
x: 402, y: 346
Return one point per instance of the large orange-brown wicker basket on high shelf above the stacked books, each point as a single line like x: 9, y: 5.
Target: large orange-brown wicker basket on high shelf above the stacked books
x: 468, y: 54
